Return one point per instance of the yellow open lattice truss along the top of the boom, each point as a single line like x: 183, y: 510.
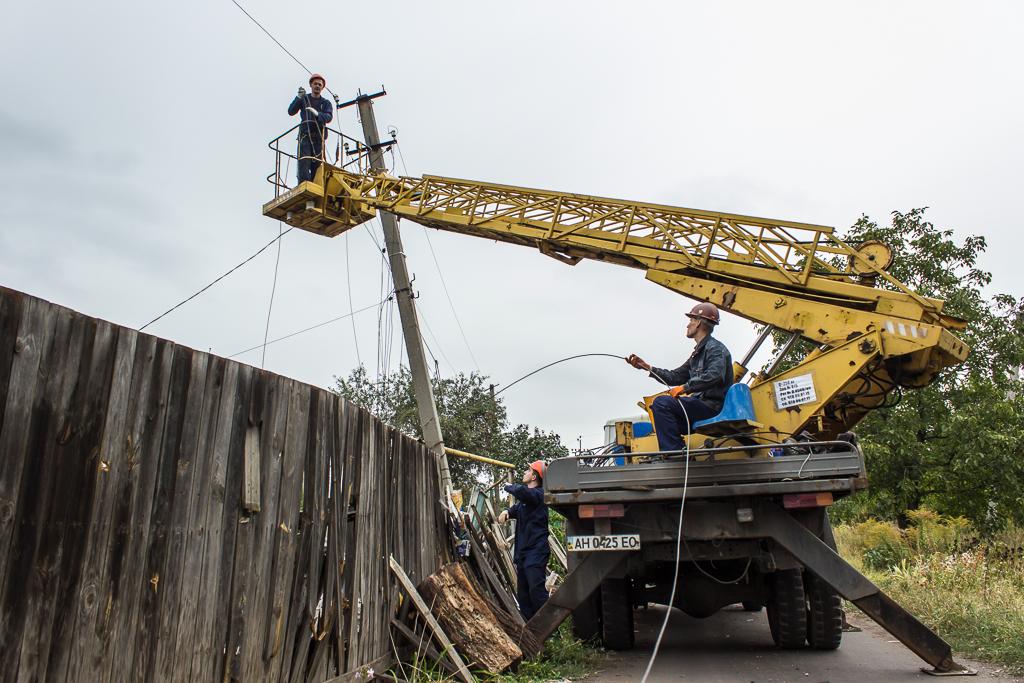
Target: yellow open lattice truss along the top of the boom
x: 689, y: 236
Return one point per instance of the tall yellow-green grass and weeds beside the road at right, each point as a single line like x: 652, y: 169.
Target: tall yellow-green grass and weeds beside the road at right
x: 970, y: 590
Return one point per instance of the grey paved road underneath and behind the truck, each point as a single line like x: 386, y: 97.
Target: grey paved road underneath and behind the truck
x: 736, y: 646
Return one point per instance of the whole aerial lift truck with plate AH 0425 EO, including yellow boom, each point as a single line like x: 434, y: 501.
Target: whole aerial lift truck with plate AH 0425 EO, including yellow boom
x: 741, y: 516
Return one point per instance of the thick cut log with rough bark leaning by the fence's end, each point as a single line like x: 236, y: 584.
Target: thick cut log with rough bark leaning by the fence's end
x: 468, y: 620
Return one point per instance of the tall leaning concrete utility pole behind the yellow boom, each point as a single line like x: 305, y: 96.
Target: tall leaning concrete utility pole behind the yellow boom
x: 407, y: 307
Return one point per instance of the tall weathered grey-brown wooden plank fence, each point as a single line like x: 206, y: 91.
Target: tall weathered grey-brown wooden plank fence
x: 170, y: 516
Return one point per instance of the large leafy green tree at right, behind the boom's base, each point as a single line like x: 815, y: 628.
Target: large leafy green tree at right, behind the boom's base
x: 957, y: 446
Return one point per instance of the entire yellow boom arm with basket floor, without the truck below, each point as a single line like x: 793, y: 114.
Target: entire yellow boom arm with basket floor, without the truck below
x: 872, y: 333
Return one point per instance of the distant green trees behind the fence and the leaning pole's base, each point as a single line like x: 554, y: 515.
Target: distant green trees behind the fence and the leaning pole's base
x: 473, y: 420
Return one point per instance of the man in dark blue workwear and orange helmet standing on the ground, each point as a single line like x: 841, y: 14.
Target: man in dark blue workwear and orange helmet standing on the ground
x: 532, y: 550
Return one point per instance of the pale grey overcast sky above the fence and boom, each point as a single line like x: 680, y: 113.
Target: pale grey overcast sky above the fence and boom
x: 134, y: 161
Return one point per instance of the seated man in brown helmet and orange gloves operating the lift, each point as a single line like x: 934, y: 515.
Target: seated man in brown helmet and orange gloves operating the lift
x: 705, y: 378
